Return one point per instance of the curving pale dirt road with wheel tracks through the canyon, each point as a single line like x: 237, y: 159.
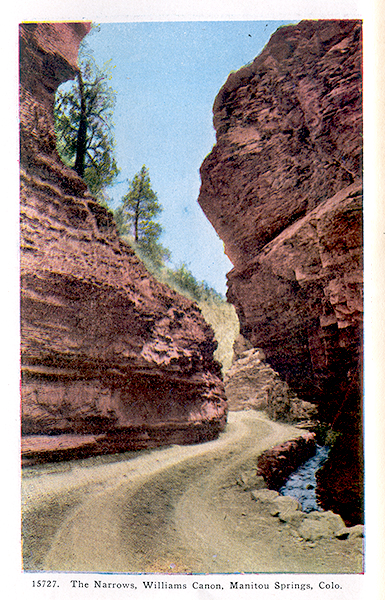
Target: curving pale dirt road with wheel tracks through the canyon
x: 176, y: 509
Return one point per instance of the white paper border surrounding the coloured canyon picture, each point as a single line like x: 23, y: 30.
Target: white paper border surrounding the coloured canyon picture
x: 359, y: 587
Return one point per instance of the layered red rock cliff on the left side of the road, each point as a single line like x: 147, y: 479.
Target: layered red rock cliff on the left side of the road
x: 107, y: 351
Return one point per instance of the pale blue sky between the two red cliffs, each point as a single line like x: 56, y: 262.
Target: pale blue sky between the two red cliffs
x: 166, y: 76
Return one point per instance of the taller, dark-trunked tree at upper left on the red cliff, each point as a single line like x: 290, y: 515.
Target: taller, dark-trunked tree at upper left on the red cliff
x: 83, y: 124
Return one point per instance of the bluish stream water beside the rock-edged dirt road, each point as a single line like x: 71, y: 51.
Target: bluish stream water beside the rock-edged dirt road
x: 302, y: 483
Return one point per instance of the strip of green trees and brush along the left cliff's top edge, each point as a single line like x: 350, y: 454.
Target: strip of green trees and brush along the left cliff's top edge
x: 83, y: 114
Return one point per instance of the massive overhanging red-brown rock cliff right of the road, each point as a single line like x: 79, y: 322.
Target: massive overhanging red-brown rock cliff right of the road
x: 283, y: 189
